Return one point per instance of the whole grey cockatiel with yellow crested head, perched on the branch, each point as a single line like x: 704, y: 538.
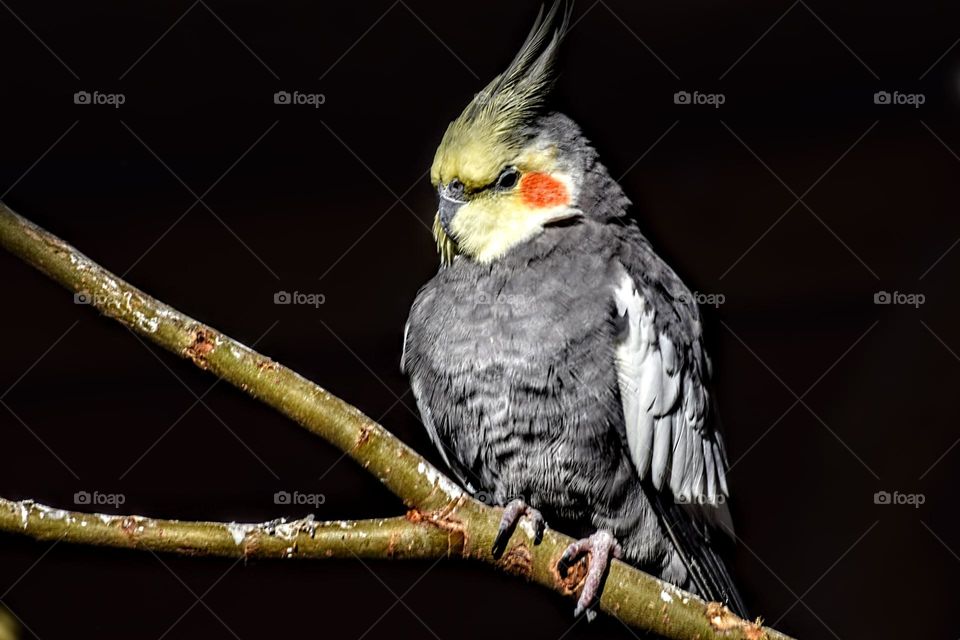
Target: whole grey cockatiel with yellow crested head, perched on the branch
x: 556, y: 360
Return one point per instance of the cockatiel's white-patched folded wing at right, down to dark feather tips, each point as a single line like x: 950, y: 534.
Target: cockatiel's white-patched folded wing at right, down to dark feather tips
x: 669, y: 430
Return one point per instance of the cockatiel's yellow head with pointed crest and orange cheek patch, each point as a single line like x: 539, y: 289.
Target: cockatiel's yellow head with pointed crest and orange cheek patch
x: 499, y: 179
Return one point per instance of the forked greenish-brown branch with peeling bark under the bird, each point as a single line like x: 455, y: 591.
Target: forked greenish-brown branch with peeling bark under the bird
x: 442, y: 521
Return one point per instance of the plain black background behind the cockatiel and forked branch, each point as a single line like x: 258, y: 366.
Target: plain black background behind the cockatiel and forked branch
x: 334, y: 201
